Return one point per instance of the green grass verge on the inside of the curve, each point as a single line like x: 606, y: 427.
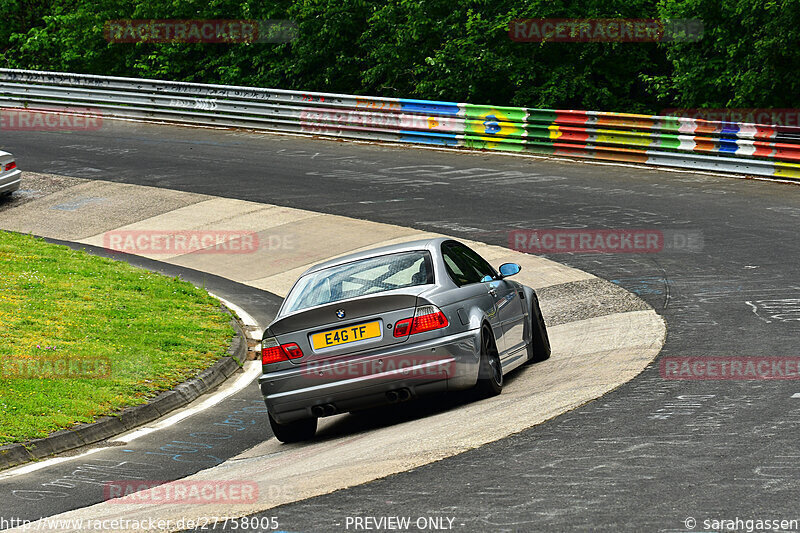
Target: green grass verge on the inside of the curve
x: 83, y: 336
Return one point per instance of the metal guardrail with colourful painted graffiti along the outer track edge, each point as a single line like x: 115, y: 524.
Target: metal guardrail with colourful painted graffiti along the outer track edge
x: 756, y: 149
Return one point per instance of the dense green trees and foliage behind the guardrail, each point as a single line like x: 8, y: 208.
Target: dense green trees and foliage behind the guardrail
x: 437, y: 49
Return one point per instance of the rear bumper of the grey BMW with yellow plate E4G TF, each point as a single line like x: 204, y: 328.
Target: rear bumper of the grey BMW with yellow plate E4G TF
x: 361, y: 381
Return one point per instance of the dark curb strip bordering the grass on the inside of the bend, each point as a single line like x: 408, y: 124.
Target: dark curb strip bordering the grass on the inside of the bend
x: 130, y: 417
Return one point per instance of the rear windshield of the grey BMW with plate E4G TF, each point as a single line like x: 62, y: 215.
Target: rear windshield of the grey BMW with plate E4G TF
x: 359, y: 278
